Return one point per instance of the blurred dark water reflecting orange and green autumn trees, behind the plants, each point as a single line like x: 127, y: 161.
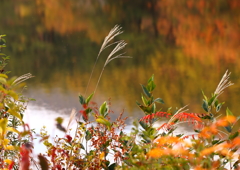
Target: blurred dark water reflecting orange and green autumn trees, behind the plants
x: 187, y: 45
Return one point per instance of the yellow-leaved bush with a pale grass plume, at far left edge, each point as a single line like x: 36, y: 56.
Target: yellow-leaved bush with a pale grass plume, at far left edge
x: 12, y: 107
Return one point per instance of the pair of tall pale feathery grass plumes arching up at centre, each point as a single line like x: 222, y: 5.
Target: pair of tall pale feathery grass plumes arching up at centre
x: 115, y: 31
